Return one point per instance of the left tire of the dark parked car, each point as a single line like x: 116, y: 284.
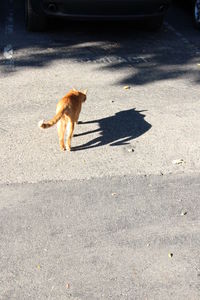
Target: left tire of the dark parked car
x: 33, y: 21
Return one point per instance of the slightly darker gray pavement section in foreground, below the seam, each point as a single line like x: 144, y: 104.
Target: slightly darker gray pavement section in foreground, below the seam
x: 101, y: 239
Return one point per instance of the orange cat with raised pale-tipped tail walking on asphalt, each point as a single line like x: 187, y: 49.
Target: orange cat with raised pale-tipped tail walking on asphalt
x: 67, y: 114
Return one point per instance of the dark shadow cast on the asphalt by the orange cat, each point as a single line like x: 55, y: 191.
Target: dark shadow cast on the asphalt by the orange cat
x: 116, y: 130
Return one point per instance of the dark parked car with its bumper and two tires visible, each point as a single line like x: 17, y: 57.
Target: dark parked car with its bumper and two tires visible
x: 38, y: 12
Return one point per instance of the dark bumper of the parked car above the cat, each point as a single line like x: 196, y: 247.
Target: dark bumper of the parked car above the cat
x: 101, y: 9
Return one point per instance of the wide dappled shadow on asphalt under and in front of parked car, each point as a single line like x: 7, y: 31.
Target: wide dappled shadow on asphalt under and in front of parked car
x: 149, y: 56
